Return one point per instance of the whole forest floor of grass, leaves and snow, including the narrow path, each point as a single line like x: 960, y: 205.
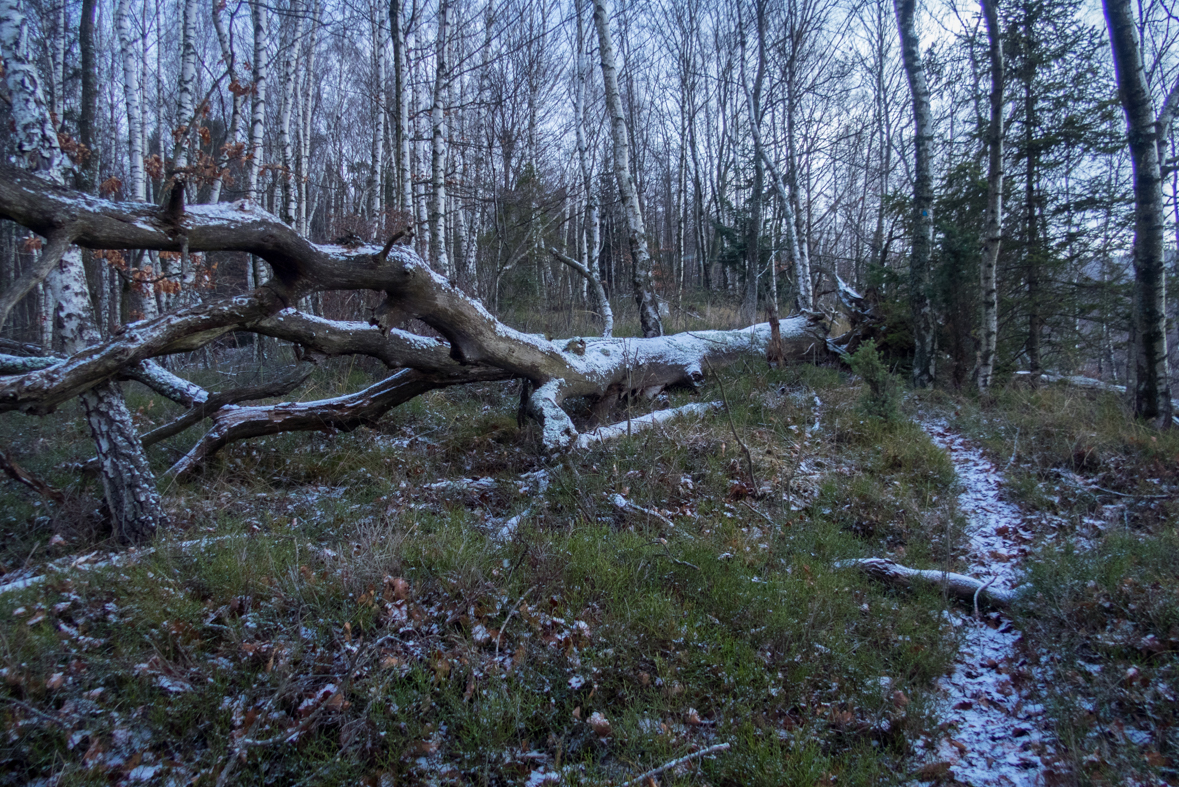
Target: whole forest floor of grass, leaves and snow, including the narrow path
x: 433, y: 603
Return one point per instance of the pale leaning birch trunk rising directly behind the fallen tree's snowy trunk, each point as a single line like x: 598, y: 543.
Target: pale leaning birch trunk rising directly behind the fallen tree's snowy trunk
x: 636, y: 233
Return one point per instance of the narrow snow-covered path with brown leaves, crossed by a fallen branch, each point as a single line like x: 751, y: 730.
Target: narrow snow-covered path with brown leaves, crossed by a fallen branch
x: 997, y: 736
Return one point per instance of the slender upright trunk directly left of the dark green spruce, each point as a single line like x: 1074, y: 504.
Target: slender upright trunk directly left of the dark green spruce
x: 993, y: 232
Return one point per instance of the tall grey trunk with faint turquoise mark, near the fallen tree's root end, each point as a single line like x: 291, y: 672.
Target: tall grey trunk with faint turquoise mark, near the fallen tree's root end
x: 923, y: 196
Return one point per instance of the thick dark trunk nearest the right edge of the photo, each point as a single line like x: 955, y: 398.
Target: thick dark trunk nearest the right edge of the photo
x: 1152, y: 385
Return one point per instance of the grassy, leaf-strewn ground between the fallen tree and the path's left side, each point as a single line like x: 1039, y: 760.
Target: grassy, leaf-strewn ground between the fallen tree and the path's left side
x: 345, y: 625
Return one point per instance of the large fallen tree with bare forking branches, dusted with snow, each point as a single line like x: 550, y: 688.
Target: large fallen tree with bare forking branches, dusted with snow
x: 472, y: 346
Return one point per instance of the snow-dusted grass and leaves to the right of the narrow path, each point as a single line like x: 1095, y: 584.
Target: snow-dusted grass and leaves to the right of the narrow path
x: 1103, y: 604
